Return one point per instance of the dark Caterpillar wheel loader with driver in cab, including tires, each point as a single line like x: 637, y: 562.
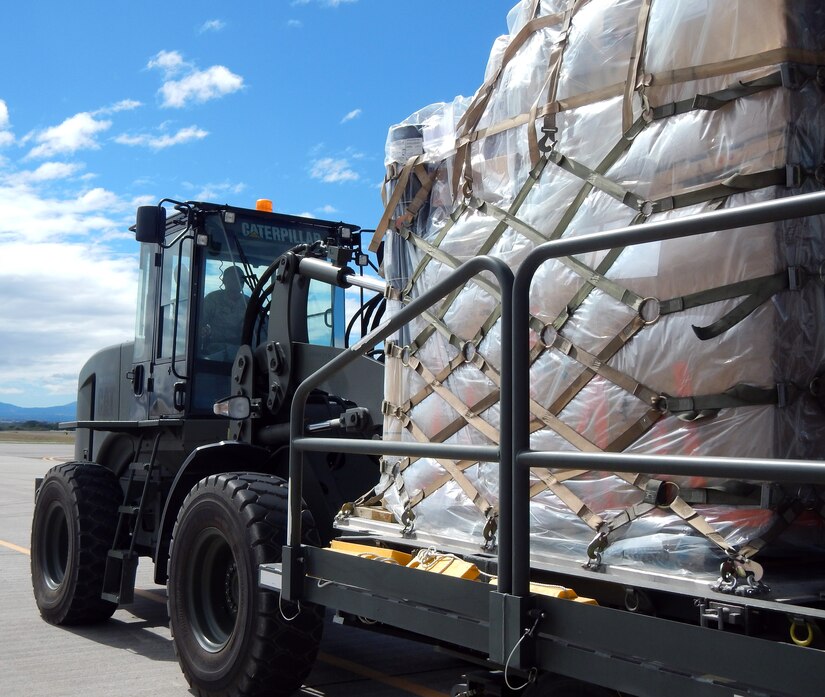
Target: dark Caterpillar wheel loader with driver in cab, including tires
x: 182, y: 434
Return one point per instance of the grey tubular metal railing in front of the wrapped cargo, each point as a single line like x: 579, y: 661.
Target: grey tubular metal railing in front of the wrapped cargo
x: 513, y: 452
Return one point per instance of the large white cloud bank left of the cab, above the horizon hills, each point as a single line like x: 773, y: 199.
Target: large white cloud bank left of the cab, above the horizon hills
x: 85, y: 298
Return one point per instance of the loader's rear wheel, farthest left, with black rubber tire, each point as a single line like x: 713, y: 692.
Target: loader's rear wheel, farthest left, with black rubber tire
x: 74, y: 523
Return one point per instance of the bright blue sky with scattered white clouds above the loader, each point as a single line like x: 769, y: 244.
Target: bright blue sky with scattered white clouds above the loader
x: 108, y: 105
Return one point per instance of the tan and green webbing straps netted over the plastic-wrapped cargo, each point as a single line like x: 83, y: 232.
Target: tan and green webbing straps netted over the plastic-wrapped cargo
x: 756, y: 290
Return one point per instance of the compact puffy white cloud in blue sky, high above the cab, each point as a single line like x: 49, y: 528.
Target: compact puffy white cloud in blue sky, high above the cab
x: 195, y: 85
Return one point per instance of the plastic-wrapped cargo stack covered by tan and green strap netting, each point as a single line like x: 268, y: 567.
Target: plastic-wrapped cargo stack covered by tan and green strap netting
x: 597, y: 115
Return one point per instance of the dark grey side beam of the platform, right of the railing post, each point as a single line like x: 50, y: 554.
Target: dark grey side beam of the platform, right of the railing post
x: 576, y: 636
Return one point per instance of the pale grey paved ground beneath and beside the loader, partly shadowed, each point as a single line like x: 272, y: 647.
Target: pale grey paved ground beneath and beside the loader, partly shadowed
x: 132, y: 655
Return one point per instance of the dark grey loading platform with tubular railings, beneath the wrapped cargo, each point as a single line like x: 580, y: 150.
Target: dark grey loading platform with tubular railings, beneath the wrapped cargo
x: 699, y: 642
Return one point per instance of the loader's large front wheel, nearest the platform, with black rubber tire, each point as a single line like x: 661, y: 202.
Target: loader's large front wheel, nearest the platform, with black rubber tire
x: 229, y: 634
